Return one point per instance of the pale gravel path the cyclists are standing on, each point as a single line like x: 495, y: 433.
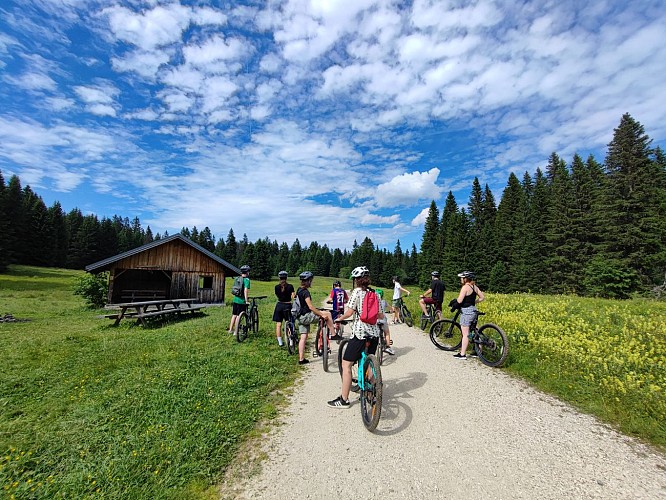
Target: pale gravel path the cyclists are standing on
x: 449, y: 429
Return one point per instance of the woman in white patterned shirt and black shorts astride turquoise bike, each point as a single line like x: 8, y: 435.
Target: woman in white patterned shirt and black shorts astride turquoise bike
x: 360, y: 332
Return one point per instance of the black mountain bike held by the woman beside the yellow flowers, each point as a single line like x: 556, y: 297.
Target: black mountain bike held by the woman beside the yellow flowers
x: 490, y: 342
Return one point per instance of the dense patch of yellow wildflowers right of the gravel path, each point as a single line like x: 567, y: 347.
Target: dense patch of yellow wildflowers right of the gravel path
x: 617, y: 349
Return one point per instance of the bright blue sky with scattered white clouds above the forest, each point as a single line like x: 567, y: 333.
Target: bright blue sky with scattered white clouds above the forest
x: 322, y: 120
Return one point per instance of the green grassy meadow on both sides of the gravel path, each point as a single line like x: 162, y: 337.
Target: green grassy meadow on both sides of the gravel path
x: 91, y: 410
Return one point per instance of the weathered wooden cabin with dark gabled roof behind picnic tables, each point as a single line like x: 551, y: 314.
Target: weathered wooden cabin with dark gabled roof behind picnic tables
x: 171, y: 268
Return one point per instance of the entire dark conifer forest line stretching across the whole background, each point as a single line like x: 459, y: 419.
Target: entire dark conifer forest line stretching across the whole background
x: 586, y: 228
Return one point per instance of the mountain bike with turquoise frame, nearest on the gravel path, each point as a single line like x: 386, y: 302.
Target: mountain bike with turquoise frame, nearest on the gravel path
x: 367, y: 374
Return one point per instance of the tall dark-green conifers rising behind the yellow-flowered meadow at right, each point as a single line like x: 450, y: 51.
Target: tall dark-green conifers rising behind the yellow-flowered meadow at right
x: 586, y: 228
